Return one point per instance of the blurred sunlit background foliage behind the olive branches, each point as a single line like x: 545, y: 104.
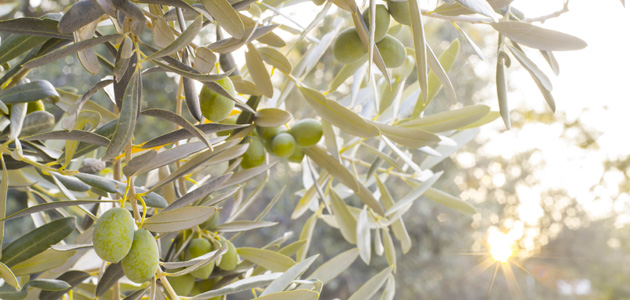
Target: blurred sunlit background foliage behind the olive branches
x: 562, y: 250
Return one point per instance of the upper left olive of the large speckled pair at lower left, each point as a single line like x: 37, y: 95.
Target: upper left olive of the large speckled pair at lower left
x: 113, y: 234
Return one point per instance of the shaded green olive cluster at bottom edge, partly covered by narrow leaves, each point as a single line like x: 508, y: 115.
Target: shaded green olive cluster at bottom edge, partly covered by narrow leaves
x: 186, y: 285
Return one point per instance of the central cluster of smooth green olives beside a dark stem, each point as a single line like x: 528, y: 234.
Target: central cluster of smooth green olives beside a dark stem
x: 282, y: 142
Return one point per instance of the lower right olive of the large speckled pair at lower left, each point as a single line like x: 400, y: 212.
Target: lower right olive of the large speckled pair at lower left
x: 141, y: 262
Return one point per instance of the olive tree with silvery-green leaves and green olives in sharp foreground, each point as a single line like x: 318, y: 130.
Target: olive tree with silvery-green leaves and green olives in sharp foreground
x: 165, y: 217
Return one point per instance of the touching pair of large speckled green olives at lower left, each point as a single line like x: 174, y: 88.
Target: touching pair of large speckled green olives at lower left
x: 115, y: 239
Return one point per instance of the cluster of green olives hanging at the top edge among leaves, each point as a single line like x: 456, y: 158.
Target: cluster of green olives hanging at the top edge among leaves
x: 349, y: 49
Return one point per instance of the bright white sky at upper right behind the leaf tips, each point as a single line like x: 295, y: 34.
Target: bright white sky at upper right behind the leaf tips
x: 592, y: 88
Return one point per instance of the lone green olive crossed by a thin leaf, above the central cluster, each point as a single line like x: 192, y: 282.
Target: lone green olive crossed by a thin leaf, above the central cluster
x: 216, y: 107
